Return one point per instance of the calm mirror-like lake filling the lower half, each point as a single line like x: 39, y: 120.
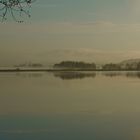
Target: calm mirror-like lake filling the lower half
x: 70, y: 106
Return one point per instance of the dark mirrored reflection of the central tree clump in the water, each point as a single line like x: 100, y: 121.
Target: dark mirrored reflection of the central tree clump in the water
x: 73, y: 75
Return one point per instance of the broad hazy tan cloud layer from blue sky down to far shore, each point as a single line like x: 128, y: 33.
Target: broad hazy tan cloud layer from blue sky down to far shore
x: 99, y: 41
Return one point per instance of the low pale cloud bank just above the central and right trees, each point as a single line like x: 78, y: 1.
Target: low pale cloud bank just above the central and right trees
x: 89, y: 55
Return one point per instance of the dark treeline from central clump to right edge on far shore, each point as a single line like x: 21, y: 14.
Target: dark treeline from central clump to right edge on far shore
x: 93, y: 66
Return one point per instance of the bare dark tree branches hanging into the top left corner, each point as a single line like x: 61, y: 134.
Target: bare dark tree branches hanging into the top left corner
x: 14, y: 7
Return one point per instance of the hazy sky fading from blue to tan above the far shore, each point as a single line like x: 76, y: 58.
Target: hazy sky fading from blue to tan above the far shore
x: 100, y: 31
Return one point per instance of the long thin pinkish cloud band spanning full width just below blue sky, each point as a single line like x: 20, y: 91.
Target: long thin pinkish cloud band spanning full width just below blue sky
x: 67, y: 28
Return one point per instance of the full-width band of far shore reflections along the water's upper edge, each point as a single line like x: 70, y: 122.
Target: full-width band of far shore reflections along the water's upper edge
x: 71, y: 75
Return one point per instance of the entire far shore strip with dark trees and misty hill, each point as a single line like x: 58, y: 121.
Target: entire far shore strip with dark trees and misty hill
x: 127, y: 65
